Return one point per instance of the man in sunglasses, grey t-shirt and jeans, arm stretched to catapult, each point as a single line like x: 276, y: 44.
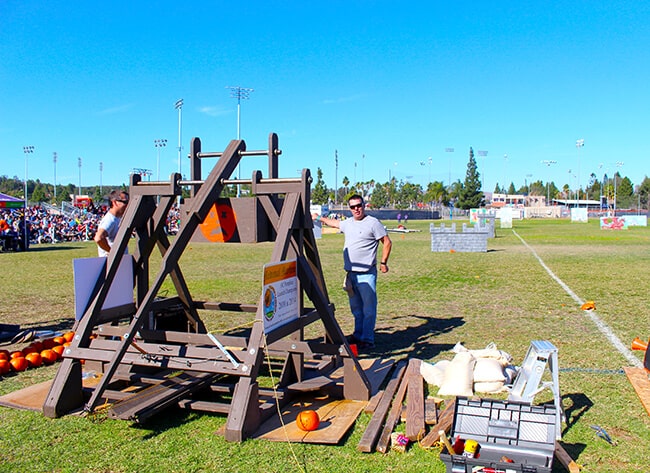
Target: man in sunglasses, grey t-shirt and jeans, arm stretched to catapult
x: 362, y: 236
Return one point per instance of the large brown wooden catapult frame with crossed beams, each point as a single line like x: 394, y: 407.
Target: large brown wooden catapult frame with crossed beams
x: 171, y: 366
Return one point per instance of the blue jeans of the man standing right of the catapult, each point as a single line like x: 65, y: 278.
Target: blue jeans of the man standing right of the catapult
x: 363, y: 304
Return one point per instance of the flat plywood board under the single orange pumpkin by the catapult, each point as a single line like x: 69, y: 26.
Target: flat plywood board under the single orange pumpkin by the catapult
x: 337, y: 416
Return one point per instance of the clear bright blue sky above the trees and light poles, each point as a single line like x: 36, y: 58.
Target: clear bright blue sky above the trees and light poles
x: 386, y: 84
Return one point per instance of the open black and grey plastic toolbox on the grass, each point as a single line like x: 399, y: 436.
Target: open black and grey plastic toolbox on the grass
x: 521, y: 432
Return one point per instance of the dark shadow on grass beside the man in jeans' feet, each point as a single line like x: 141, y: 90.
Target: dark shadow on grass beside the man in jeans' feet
x: 416, y: 340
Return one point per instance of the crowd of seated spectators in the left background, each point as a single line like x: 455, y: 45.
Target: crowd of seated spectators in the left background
x: 53, y: 226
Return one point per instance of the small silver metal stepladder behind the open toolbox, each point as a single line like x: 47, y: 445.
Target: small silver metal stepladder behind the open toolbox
x: 528, y: 383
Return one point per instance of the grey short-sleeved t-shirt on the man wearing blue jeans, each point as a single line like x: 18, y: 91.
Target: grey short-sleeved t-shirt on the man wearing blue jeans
x: 361, y: 242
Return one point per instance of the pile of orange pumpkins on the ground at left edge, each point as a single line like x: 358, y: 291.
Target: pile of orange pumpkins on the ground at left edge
x: 38, y: 353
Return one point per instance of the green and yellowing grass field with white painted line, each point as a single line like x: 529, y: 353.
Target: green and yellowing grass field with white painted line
x: 428, y: 303
